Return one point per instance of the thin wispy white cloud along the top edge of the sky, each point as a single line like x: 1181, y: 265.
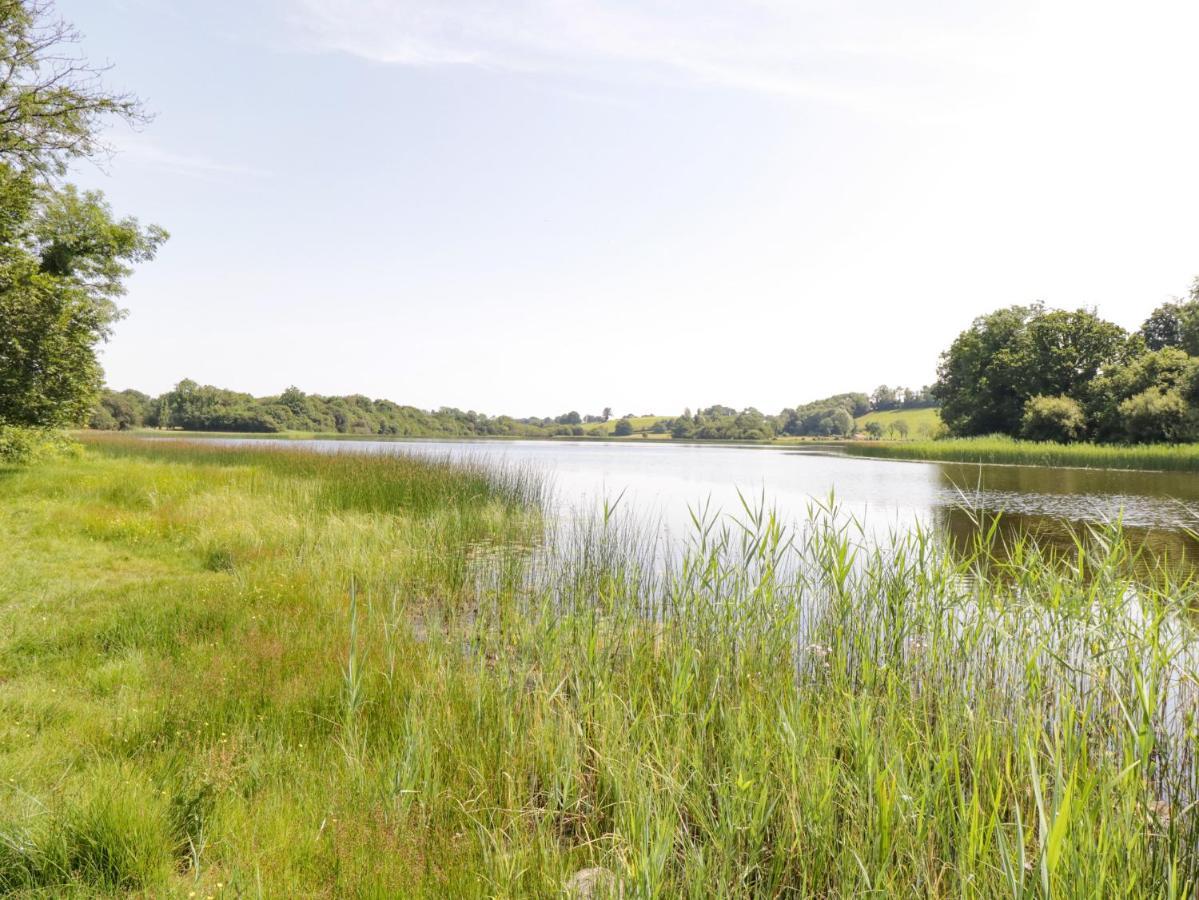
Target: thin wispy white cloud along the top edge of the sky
x: 812, y: 50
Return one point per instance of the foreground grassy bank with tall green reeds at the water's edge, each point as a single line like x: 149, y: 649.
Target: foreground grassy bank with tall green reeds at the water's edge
x: 266, y: 673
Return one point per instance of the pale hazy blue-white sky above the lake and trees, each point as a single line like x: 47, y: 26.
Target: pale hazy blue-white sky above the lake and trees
x: 532, y: 207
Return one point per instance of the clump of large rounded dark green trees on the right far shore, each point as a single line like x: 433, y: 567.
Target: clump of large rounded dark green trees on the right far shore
x: 1069, y: 376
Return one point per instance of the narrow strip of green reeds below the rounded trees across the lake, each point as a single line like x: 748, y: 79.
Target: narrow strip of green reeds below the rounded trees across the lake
x: 1166, y: 457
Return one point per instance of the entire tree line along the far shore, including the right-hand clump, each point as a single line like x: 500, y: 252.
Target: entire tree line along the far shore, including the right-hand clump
x: 1023, y: 371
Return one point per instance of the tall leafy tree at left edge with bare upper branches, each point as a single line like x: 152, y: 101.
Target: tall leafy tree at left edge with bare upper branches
x: 64, y: 258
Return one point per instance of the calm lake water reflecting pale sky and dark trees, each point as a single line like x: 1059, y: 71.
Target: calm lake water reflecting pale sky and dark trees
x: 661, y: 482
